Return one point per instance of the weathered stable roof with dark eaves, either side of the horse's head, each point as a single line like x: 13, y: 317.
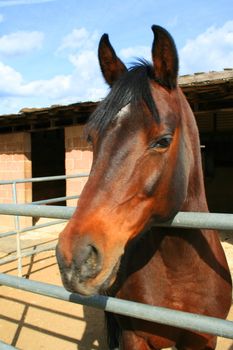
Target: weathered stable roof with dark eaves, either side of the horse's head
x: 204, y: 91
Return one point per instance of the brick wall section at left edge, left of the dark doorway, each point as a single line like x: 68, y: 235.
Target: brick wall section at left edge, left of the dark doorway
x: 15, y: 163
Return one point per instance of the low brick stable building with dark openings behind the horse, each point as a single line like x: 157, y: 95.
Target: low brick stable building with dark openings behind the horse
x: 50, y: 141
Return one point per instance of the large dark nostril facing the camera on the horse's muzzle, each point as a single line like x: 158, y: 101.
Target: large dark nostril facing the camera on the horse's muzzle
x: 90, y: 264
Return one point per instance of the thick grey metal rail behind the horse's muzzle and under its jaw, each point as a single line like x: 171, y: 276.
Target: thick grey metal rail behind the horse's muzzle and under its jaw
x: 182, y: 219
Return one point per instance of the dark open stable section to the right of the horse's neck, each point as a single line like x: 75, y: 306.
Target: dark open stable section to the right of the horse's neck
x: 211, y: 98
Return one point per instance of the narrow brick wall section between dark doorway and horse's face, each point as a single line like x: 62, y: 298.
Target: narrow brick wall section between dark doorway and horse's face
x: 78, y: 159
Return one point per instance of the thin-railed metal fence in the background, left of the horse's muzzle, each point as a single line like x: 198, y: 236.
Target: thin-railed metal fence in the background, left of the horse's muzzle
x: 17, y: 231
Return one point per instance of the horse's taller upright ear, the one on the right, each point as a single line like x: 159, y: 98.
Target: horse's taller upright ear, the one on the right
x: 165, y: 57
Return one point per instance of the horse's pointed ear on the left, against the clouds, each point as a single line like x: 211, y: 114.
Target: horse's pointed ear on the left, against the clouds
x: 111, y: 66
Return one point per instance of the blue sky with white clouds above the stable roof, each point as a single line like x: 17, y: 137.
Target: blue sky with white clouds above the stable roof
x: 48, y: 48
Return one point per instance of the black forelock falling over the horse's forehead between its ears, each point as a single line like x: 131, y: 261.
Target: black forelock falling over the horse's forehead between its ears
x: 132, y: 87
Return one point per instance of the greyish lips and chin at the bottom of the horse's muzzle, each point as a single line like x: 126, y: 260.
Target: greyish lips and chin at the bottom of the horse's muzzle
x: 74, y: 283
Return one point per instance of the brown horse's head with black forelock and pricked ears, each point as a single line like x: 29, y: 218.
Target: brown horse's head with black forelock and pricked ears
x: 146, y: 165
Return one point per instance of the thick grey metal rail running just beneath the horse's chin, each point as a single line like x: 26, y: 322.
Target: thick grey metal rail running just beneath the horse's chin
x: 186, y: 320
